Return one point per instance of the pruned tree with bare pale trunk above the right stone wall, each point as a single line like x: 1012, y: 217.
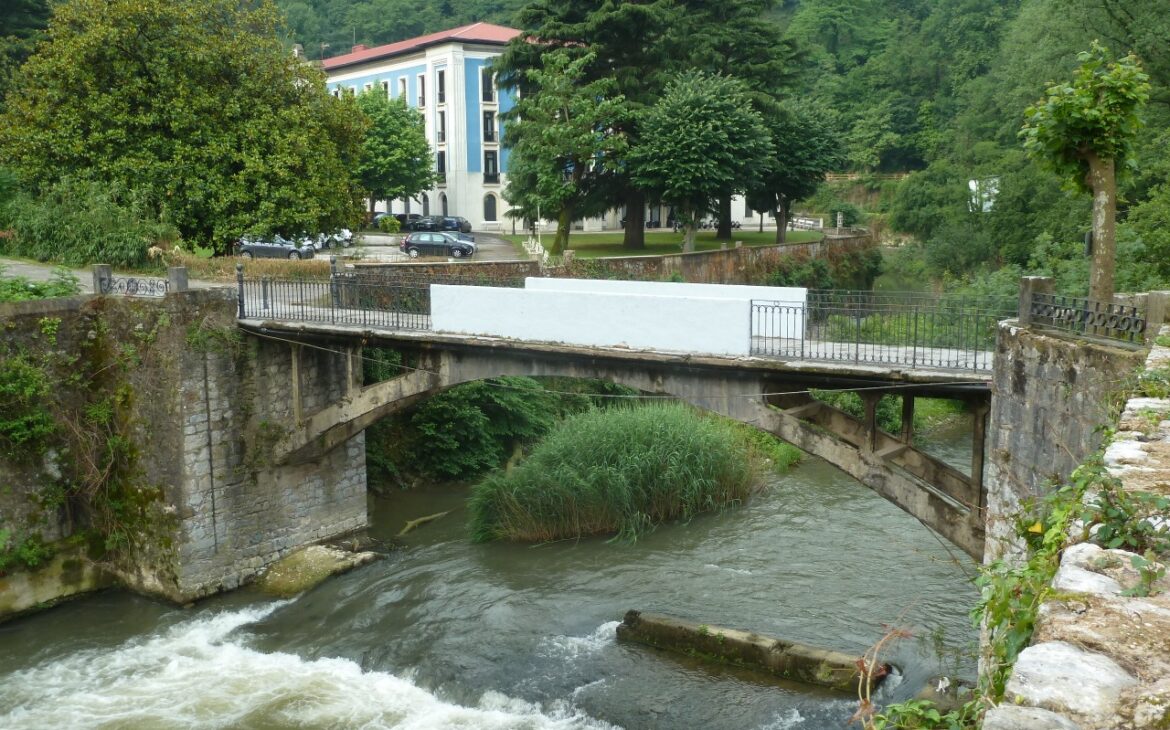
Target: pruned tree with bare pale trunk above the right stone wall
x: 1084, y: 129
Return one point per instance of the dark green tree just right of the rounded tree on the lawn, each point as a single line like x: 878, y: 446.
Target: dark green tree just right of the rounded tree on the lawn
x: 806, y: 146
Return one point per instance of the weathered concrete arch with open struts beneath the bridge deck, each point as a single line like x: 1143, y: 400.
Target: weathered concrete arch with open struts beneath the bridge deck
x: 938, y: 495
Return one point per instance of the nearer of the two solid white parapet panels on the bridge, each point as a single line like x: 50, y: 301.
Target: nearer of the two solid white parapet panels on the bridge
x: 636, y: 321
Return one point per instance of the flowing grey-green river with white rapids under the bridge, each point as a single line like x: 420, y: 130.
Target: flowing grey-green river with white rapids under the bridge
x: 444, y: 633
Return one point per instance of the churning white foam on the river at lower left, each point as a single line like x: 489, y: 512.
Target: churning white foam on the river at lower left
x: 195, y: 676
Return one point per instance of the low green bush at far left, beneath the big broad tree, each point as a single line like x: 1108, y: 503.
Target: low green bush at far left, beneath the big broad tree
x: 78, y: 223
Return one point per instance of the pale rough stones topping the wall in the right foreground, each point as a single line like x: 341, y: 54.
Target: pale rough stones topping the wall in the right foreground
x: 1100, y: 660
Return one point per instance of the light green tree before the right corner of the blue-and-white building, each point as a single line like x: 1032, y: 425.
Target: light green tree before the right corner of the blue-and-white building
x: 563, y: 142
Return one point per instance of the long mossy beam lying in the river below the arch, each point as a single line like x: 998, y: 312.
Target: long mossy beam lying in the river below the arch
x: 786, y: 659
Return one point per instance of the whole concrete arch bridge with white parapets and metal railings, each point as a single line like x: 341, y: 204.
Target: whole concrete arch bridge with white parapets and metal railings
x: 675, y: 341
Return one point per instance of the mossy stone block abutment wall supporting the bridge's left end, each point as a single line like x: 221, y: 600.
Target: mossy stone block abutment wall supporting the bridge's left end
x: 205, y: 407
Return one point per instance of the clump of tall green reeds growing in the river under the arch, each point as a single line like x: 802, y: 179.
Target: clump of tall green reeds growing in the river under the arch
x: 621, y: 471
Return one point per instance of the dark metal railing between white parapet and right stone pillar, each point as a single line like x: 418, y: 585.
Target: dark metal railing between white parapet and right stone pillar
x: 917, y: 330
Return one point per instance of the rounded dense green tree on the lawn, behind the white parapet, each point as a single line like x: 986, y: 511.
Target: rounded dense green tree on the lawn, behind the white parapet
x: 699, y: 141
